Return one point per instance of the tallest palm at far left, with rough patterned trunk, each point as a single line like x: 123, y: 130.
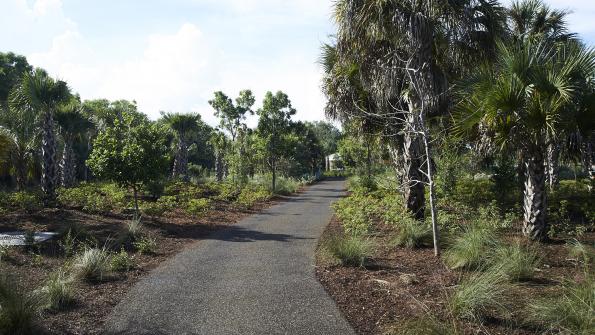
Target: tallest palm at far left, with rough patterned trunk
x: 40, y: 92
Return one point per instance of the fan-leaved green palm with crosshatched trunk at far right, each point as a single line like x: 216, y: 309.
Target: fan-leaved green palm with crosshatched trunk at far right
x: 529, y: 97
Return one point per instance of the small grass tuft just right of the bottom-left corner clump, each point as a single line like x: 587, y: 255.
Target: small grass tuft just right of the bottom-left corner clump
x: 58, y: 291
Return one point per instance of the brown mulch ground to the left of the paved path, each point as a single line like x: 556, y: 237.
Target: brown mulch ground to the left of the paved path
x: 173, y: 232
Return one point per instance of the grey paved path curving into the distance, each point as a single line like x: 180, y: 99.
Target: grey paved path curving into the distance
x: 257, y: 277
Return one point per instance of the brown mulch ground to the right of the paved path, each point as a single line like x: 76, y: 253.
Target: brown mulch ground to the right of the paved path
x: 401, y: 285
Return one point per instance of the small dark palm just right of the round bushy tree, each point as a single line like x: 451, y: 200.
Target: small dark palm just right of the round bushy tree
x: 182, y: 125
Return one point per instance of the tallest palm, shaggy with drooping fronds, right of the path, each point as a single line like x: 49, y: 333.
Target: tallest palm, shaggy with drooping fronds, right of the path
x: 403, y: 53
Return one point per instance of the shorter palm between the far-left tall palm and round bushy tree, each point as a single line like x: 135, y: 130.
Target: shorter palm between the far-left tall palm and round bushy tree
x: 72, y: 124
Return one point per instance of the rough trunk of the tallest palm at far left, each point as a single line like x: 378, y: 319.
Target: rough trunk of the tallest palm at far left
x: 48, y: 151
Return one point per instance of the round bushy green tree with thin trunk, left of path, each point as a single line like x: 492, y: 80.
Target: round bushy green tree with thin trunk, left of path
x: 131, y: 153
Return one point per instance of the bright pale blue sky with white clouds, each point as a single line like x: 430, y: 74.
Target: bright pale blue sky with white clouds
x: 172, y: 55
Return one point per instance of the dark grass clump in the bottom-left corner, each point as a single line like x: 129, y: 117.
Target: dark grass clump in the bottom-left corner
x: 18, y: 309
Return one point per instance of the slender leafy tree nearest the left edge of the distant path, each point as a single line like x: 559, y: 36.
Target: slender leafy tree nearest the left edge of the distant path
x: 273, y: 126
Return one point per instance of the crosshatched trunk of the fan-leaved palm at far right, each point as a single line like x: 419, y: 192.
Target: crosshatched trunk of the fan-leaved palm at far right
x: 535, y: 224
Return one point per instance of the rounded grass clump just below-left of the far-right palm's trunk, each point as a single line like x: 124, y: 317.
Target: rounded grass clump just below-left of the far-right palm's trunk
x: 516, y: 261
